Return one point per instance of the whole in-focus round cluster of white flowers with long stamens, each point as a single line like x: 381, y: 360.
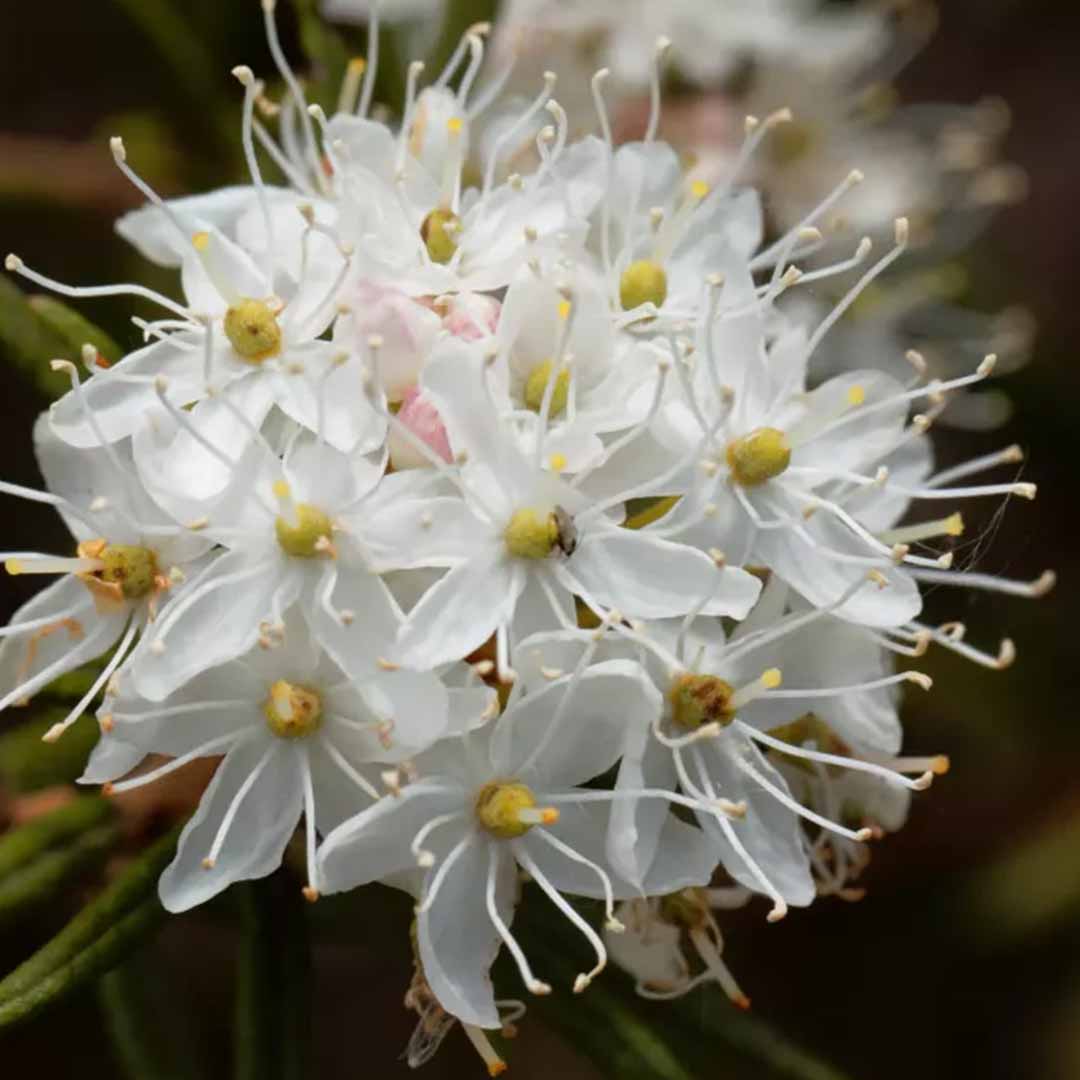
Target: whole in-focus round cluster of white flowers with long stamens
x: 497, y: 532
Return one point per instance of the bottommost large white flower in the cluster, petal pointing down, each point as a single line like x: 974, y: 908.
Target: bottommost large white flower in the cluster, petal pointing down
x: 503, y: 798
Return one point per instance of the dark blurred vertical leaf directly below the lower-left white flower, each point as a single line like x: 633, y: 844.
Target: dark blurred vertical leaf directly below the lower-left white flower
x: 273, y: 994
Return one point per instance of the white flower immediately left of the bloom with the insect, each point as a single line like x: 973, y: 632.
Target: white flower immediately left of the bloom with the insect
x: 300, y: 532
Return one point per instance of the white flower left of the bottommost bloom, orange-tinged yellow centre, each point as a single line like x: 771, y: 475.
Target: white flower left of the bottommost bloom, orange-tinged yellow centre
x: 296, y: 733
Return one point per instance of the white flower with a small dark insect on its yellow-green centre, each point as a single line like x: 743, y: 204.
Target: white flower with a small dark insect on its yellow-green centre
x: 533, y: 542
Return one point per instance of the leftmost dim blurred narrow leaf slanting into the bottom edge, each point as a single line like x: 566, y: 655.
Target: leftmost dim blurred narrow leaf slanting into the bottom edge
x: 148, y: 1038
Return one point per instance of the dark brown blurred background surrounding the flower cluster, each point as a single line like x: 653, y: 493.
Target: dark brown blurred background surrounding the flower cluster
x: 965, y: 957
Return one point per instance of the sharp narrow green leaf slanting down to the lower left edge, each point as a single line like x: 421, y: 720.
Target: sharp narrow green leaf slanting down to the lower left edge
x: 94, y: 942
